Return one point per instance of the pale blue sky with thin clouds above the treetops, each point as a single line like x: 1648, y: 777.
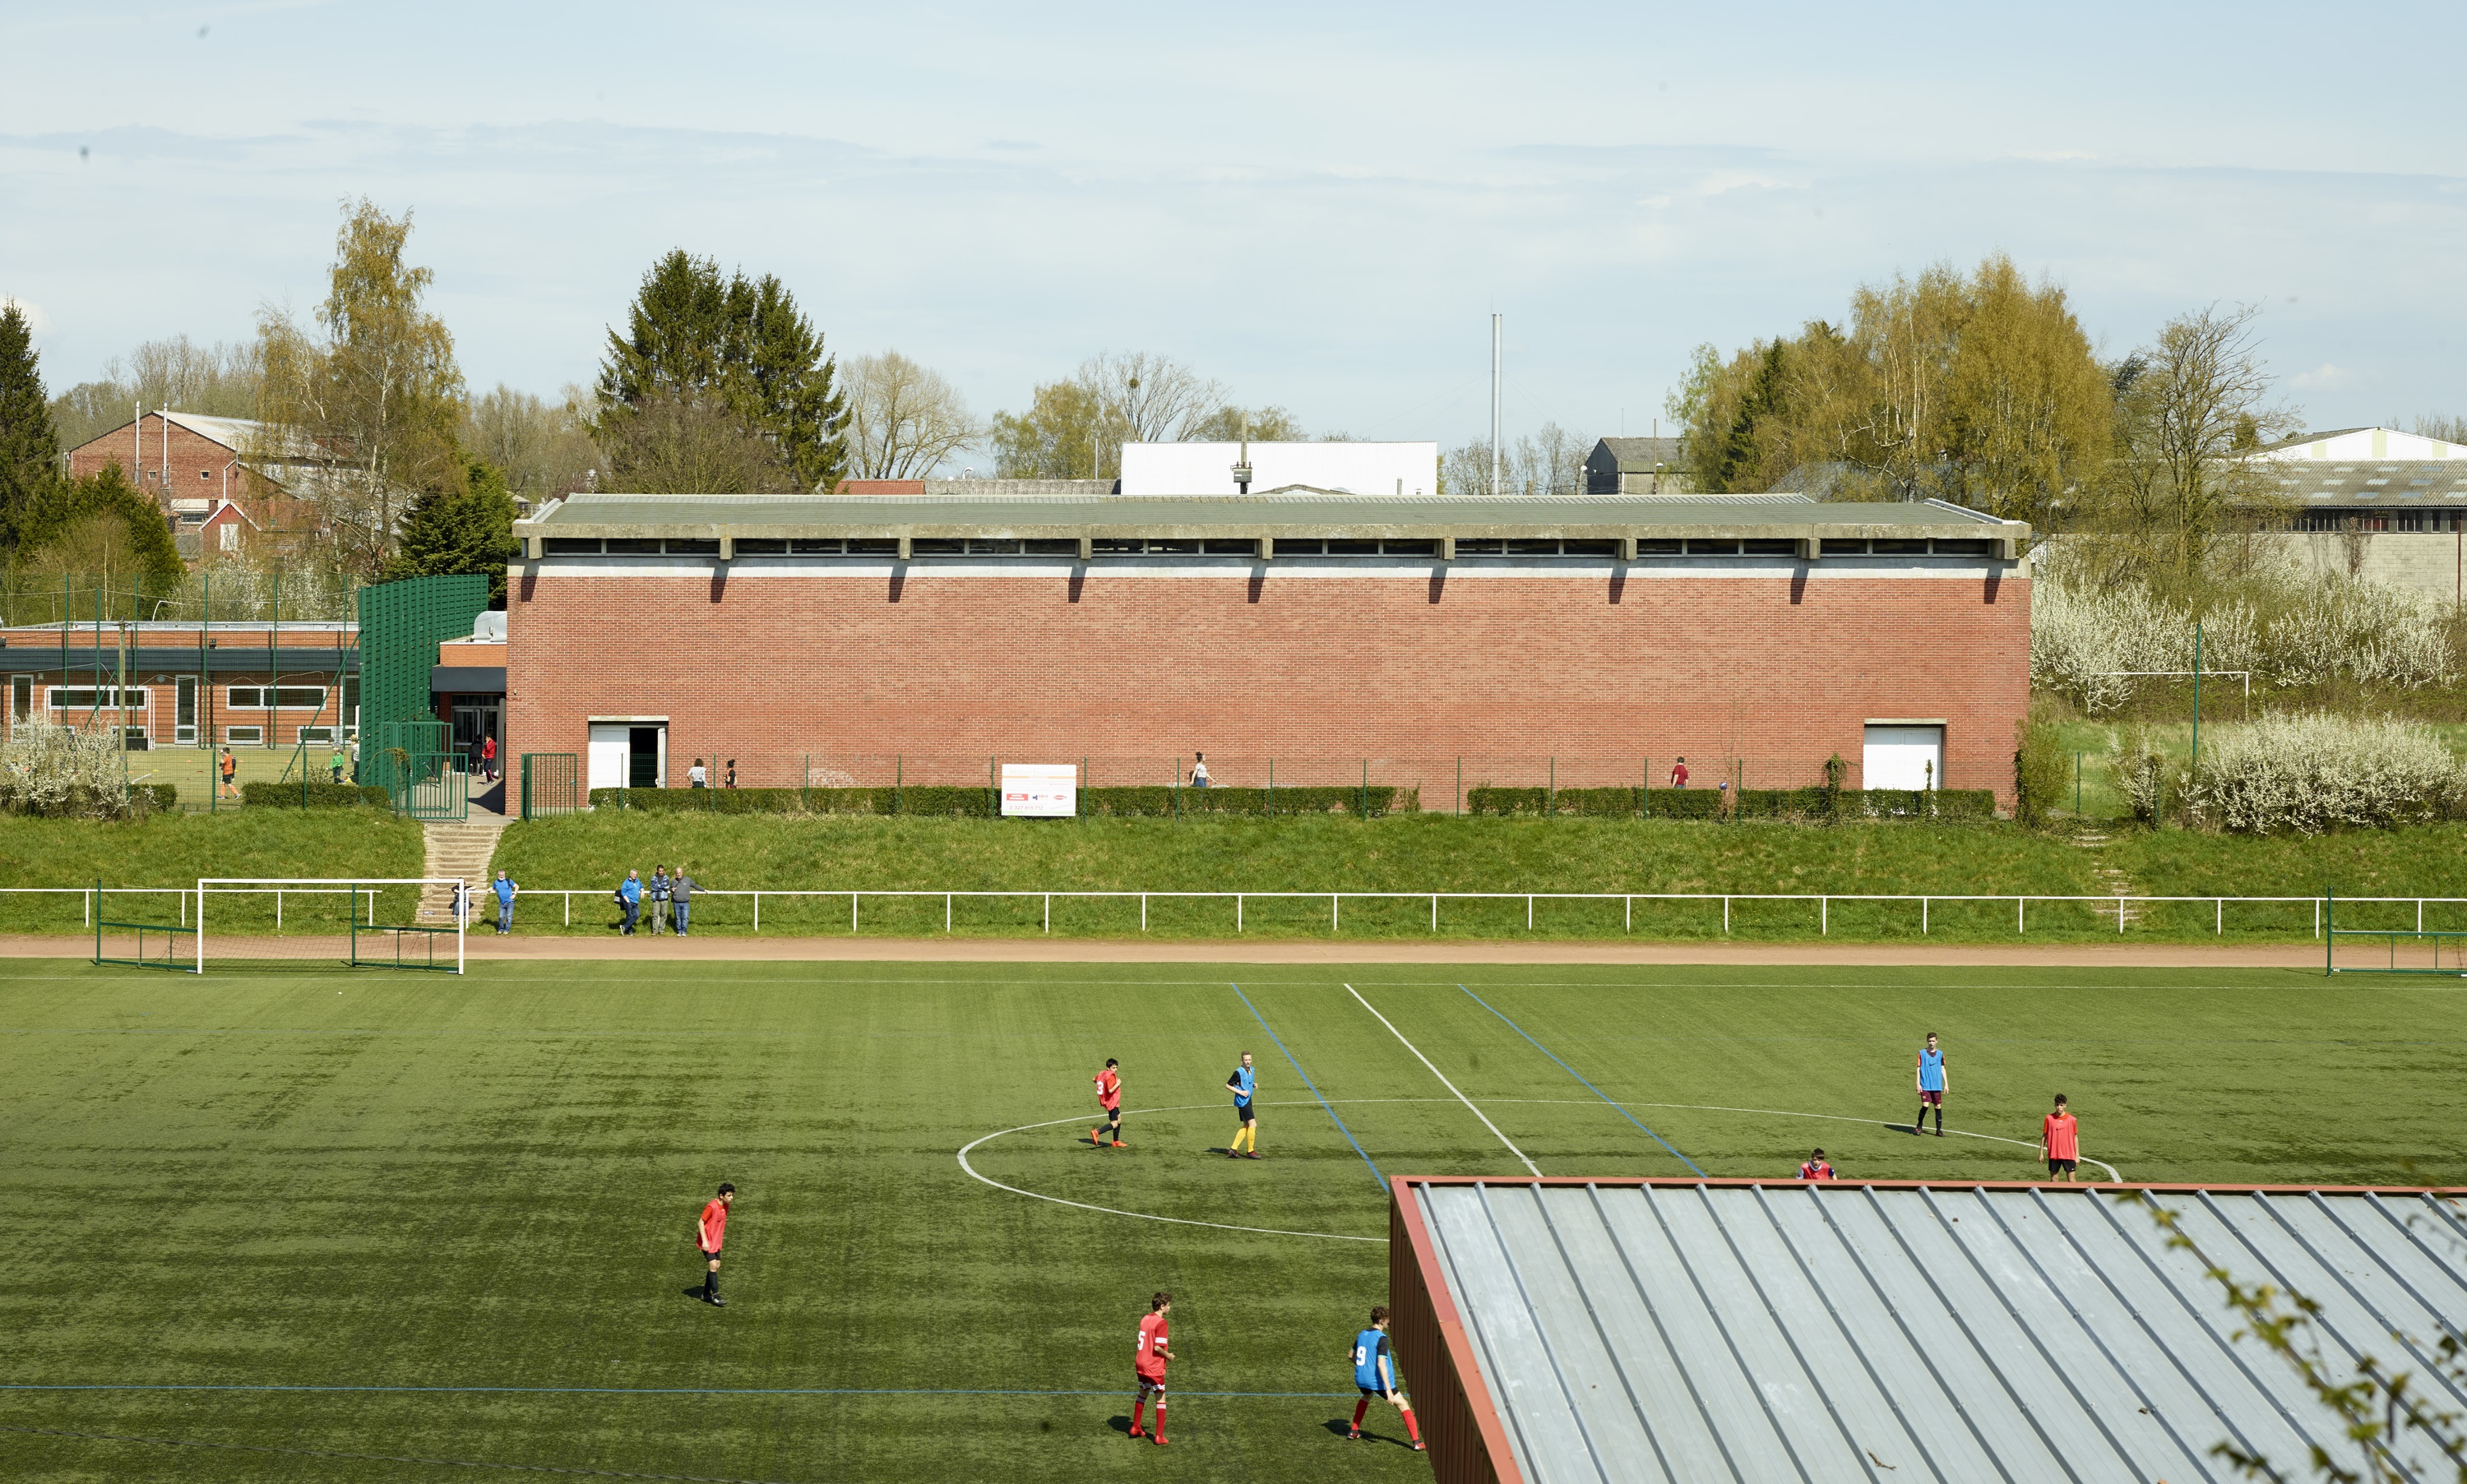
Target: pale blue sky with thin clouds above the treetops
x: 1314, y: 203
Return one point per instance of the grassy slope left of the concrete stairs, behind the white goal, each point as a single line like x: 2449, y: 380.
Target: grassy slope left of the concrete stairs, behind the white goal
x: 176, y: 849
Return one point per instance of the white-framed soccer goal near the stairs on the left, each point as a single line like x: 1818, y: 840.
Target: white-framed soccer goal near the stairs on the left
x: 332, y: 923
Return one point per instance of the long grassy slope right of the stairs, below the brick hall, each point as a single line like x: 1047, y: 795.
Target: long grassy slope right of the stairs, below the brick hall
x: 1437, y: 854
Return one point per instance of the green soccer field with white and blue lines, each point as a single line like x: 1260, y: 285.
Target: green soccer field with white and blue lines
x: 324, y: 1224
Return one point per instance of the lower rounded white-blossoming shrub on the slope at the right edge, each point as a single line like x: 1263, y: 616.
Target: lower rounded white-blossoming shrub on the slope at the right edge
x: 2310, y: 773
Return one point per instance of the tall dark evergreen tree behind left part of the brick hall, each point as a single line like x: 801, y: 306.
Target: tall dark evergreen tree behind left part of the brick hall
x: 694, y: 334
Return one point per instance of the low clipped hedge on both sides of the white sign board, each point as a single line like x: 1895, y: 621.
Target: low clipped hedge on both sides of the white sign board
x: 941, y: 800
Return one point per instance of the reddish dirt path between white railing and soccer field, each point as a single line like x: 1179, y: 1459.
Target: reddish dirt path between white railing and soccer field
x: 1077, y: 950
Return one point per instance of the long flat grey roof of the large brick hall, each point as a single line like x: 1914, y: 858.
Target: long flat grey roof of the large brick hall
x: 1247, y: 516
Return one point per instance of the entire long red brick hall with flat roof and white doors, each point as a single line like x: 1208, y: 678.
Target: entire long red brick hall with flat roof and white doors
x: 1590, y: 637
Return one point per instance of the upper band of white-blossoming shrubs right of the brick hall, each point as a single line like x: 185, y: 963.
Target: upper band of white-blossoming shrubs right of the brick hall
x: 2318, y: 627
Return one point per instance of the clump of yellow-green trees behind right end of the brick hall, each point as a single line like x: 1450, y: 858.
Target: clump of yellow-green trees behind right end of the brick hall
x: 1982, y: 388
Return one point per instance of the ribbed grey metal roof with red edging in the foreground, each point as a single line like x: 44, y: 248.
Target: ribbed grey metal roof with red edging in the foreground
x: 1775, y: 1332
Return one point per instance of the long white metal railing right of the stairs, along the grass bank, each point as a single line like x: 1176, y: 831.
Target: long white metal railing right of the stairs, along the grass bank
x: 1336, y: 903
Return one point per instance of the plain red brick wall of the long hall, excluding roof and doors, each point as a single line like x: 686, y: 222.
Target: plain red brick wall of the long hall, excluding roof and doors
x: 1299, y: 667
